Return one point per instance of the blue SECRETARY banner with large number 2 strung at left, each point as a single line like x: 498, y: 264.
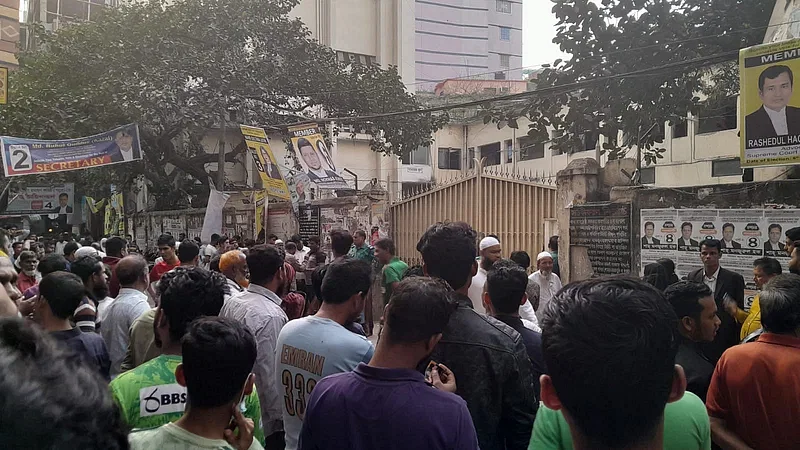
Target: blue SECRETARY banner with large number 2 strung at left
x: 33, y: 156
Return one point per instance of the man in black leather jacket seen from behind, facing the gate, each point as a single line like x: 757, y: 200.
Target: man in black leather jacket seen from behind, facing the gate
x: 487, y: 356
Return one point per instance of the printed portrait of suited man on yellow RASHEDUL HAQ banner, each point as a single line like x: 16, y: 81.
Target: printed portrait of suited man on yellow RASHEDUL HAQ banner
x: 775, y: 118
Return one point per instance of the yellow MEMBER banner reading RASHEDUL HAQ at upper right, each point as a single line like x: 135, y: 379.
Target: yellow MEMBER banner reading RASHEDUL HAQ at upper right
x: 770, y: 111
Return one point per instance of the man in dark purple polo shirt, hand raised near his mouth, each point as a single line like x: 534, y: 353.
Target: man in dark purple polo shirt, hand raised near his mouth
x: 403, y: 411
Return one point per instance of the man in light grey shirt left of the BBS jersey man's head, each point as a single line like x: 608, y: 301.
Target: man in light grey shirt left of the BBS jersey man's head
x: 126, y: 308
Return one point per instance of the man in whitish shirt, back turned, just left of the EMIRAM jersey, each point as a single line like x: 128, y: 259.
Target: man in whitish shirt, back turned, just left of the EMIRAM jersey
x: 259, y: 309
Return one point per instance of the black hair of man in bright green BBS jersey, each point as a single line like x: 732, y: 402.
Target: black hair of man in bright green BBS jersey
x: 188, y: 293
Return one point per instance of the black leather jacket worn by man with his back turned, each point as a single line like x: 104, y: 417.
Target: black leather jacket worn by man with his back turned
x: 493, y: 375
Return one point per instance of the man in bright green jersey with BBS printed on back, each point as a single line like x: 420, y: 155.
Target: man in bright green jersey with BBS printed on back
x: 149, y: 395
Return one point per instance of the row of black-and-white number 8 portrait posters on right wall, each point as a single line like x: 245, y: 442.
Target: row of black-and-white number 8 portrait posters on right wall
x: 745, y: 235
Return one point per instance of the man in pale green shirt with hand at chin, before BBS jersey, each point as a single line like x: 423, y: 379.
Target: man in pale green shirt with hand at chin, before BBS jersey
x: 218, y: 357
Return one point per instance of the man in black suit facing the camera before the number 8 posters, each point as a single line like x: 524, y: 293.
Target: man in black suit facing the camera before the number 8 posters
x: 723, y: 283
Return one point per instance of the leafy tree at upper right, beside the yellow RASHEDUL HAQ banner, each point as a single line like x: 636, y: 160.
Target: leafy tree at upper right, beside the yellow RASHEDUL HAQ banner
x: 611, y: 37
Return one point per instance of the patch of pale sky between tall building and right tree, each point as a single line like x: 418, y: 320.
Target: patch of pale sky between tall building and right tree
x: 538, y: 30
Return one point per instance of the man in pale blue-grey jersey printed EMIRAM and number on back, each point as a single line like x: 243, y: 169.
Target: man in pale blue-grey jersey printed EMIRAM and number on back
x: 317, y: 346
